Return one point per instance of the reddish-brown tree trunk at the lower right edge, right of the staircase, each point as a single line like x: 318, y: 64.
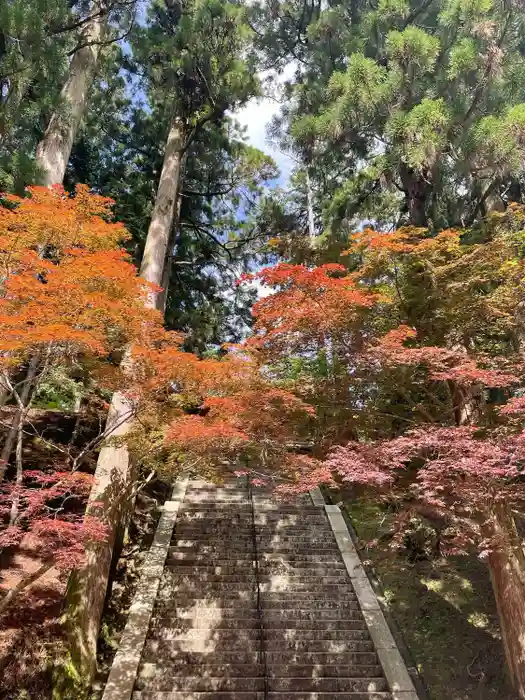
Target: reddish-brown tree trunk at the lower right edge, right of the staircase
x: 507, y: 572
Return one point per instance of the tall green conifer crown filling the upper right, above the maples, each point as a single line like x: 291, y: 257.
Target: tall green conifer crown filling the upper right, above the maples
x: 408, y: 112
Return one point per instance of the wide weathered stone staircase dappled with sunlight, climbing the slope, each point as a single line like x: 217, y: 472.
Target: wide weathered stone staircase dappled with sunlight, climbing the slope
x: 254, y: 602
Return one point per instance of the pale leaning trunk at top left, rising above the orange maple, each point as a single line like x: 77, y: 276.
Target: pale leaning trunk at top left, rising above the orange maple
x: 53, y: 152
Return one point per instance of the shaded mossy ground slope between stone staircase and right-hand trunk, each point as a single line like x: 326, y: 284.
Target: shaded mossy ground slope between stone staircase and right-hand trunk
x: 444, y: 609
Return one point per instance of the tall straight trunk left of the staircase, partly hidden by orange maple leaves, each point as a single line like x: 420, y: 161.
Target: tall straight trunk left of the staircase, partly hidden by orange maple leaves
x: 113, y: 475
